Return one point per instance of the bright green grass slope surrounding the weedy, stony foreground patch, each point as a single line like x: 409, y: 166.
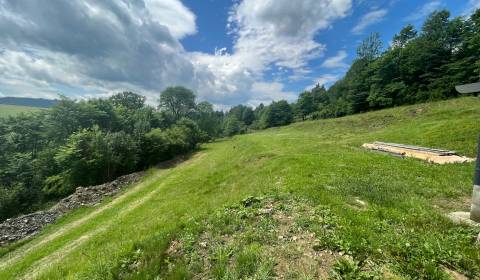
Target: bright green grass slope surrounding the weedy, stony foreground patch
x: 401, y: 227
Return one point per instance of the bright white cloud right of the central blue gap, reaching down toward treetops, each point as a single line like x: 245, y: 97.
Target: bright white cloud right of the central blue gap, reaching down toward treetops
x: 270, y: 33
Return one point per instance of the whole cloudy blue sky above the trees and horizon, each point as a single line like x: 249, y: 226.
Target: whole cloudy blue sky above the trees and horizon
x: 227, y: 51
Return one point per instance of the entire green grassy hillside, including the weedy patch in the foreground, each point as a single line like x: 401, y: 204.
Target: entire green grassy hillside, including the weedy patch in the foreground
x: 358, y: 213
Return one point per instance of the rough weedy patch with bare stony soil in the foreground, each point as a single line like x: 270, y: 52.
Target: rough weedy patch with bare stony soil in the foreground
x: 259, y: 238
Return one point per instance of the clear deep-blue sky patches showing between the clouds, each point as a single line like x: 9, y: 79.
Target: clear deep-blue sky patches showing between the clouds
x: 340, y: 38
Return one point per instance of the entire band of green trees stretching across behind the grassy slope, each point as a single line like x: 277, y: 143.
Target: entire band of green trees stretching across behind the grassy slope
x: 45, y: 155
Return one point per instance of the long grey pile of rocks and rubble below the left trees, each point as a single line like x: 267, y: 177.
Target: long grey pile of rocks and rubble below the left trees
x: 28, y: 225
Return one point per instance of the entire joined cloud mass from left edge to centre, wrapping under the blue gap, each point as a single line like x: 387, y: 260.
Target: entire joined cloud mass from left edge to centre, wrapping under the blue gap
x: 93, y: 48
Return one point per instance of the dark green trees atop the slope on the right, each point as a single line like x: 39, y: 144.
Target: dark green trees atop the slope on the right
x: 419, y: 66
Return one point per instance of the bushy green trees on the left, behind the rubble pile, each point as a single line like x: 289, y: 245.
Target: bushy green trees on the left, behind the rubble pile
x: 45, y: 155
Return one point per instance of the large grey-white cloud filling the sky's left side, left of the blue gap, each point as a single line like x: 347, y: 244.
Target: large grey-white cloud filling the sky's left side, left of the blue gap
x: 95, y: 45
